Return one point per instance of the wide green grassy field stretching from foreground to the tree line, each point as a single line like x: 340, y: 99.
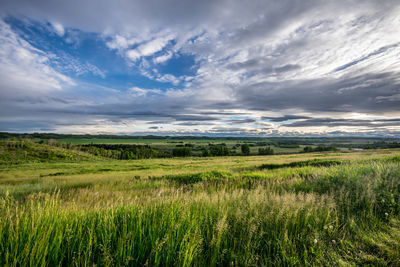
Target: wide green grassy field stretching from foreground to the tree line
x: 293, y: 210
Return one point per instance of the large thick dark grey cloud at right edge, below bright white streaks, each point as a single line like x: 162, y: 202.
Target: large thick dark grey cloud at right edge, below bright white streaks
x: 370, y: 93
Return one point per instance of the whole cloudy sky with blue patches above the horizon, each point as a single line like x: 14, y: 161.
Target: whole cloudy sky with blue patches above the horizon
x: 211, y: 67
